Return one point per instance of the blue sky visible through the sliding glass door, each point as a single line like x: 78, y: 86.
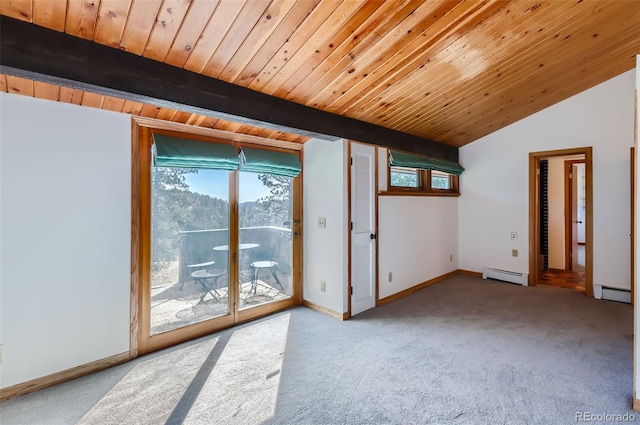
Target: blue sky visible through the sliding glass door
x: 215, y: 183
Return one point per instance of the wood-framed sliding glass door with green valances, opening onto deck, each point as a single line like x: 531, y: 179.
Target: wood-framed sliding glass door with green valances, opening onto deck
x: 217, y: 244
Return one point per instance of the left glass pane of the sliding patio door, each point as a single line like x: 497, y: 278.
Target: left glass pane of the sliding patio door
x: 189, y: 216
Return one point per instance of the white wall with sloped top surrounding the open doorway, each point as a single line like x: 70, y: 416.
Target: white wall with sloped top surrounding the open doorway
x: 495, y: 185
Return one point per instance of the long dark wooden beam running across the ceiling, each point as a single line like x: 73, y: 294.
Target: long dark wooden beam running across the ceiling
x: 41, y: 54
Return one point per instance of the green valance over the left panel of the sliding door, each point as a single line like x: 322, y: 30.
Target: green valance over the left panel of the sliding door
x: 186, y: 153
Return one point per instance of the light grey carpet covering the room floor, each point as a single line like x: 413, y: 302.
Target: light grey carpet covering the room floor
x: 463, y: 351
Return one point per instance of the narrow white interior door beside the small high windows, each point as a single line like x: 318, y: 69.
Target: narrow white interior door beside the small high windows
x: 363, y: 237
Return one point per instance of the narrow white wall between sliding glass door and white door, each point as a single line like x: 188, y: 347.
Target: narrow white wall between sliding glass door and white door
x: 325, y: 249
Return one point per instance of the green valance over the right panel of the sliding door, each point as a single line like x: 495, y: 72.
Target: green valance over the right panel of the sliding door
x: 269, y: 162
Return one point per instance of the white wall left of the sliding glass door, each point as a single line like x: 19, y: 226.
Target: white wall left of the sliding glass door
x: 65, y: 235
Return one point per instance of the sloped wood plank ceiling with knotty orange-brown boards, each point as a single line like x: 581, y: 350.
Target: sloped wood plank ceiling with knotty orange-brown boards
x: 451, y: 71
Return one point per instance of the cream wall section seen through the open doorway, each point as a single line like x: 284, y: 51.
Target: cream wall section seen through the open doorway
x: 556, y: 213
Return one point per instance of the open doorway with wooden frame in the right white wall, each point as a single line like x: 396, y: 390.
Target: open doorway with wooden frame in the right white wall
x: 560, y: 219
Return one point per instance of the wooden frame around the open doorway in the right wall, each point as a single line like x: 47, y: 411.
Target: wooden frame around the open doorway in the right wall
x: 534, y: 211
